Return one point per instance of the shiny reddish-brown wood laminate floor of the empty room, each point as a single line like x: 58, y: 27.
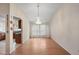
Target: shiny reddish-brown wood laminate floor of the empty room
x: 40, y: 46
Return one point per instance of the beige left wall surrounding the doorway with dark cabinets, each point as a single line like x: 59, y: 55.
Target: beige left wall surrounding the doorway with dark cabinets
x: 16, y: 11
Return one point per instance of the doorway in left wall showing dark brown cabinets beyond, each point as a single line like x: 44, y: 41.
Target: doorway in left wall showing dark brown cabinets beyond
x: 17, y: 30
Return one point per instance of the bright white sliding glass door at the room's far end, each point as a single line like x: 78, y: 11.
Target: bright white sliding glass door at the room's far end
x: 40, y: 30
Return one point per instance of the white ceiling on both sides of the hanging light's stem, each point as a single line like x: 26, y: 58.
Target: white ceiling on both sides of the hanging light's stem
x: 46, y: 10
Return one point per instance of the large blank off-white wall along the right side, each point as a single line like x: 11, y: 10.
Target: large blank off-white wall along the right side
x: 65, y: 27
